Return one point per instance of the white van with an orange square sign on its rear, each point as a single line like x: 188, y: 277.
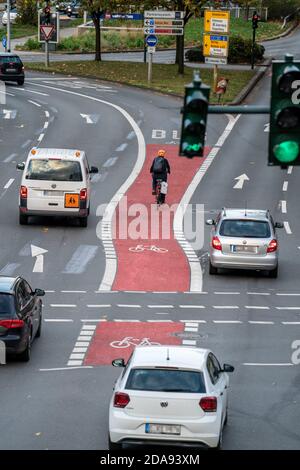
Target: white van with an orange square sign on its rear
x: 55, y: 182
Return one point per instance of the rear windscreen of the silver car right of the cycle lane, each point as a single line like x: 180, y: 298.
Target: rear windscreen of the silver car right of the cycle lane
x: 245, y: 228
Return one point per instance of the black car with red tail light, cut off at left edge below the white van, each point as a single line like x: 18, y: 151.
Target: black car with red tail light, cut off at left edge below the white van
x: 20, y: 315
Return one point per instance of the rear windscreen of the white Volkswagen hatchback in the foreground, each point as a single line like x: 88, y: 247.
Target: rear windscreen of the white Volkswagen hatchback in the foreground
x: 166, y: 380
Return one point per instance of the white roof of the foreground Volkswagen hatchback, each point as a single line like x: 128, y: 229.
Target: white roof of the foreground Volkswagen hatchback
x: 179, y: 356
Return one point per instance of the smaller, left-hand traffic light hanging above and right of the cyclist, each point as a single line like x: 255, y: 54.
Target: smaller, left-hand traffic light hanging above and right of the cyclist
x: 194, y: 118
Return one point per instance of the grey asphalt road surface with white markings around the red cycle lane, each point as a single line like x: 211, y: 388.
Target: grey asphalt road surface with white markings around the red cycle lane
x: 249, y: 320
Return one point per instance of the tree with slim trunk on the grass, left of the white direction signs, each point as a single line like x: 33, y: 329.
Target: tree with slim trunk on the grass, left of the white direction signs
x: 97, y: 9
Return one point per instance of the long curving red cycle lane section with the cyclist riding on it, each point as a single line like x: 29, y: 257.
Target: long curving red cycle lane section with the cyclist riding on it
x: 160, y: 263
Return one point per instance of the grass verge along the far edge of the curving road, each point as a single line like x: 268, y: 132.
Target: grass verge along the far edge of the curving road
x: 165, y: 77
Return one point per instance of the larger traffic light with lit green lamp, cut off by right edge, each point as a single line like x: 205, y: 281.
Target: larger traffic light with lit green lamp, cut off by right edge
x: 284, y: 140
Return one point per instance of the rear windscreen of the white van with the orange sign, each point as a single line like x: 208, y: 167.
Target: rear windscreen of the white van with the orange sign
x: 54, y: 170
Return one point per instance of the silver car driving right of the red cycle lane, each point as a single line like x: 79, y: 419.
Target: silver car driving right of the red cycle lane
x: 244, y: 239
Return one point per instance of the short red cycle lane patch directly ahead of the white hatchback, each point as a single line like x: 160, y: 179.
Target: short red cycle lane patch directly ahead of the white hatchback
x: 117, y: 339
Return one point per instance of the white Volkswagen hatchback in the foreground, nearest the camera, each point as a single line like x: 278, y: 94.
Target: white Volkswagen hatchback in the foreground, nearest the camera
x: 169, y: 395
